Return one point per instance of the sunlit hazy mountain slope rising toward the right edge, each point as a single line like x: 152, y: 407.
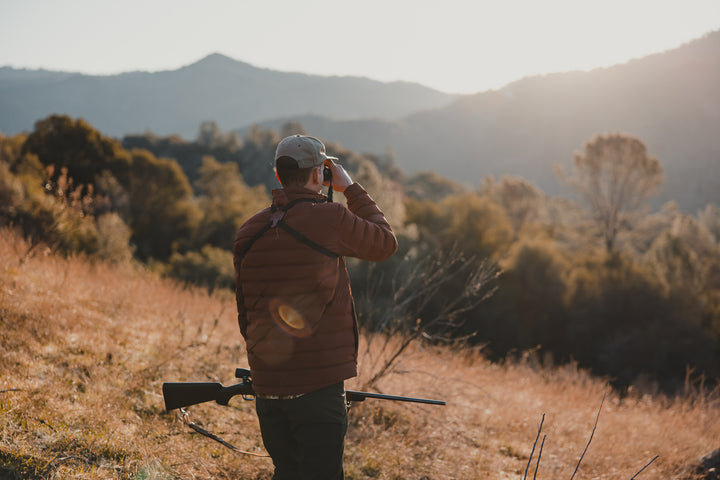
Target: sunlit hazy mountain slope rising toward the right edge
x: 669, y: 100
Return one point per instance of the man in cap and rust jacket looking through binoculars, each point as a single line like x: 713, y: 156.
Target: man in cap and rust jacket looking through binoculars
x: 295, y: 308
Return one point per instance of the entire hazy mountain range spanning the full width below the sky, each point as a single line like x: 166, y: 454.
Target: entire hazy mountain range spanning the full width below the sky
x: 670, y: 100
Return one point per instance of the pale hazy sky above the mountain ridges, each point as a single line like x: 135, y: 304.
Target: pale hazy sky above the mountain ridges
x: 457, y: 46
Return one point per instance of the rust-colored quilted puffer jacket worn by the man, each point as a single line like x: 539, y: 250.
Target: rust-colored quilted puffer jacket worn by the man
x: 295, y: 307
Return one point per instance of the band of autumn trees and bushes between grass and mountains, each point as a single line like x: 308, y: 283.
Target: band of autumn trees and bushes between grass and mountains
x: 627, y: 293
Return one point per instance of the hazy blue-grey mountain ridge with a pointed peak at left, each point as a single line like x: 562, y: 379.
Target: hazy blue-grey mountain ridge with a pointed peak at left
x: 216, y: 88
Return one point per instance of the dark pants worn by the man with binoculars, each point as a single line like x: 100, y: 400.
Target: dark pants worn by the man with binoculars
x: 305, y: 436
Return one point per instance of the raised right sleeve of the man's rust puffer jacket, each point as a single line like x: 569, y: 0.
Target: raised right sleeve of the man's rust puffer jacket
x: 363, y: 232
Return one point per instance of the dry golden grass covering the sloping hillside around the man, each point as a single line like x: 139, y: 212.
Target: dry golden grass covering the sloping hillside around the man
x: 85, y: 348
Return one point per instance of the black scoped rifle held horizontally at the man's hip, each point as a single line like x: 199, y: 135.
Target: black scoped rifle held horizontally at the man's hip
x: 184, y: 394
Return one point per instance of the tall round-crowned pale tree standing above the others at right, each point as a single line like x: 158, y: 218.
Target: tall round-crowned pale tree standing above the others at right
x: 615, y: 175
